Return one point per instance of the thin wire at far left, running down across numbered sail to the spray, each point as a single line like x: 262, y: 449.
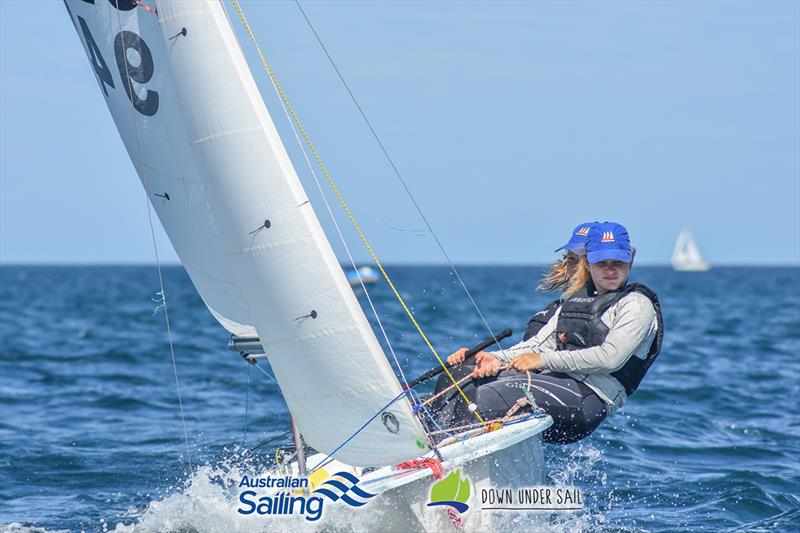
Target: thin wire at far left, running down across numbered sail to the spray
x: 145, y: 182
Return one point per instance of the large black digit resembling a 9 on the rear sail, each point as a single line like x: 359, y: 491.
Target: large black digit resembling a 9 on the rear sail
x: 140, y: 71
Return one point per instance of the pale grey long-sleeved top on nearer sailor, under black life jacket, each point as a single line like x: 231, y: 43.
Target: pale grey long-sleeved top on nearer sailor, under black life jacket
x: 632, y: 327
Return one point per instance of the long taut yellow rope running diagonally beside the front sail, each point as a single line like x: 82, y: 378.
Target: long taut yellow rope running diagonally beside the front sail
x: 344, y: 204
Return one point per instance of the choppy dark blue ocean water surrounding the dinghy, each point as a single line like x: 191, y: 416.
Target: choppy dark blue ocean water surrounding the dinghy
x: 91, y: 435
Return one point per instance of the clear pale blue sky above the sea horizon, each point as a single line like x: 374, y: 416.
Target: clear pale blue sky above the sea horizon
x: 510, y: 121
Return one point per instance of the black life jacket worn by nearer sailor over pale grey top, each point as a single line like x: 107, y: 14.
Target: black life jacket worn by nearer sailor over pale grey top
x: 580, y: 326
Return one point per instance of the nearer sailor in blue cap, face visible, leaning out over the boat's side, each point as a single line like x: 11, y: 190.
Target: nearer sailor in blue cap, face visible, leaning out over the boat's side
x: 589, y: 356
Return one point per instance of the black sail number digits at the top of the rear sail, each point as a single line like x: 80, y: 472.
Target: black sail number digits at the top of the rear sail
x: 127, y: 46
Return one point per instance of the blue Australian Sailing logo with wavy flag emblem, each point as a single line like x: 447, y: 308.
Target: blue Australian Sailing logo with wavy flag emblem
x: 294, y: 498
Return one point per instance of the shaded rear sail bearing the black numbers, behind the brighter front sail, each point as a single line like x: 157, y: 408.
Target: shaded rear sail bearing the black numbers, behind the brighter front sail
x: 156, y: 146
